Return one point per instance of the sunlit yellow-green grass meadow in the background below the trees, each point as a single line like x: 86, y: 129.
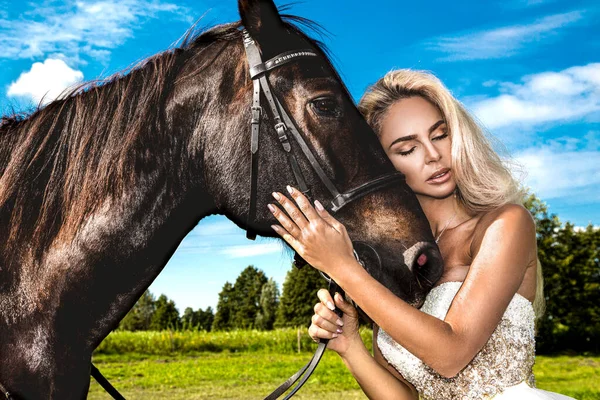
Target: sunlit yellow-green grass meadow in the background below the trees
x: 250, y: 364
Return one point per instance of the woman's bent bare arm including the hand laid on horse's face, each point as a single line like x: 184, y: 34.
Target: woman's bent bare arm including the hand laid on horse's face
x: 494, y: 277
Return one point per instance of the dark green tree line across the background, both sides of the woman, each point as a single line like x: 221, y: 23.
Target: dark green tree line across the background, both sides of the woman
x: 570, y: 261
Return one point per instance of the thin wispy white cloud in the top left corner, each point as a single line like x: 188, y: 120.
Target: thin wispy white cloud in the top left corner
x: 95, y: 26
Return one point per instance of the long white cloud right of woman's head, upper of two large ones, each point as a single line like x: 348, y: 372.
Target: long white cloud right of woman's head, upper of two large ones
x: 570, y: 94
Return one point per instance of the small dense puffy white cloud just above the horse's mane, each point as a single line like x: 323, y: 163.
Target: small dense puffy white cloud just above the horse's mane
x: 45, y: 81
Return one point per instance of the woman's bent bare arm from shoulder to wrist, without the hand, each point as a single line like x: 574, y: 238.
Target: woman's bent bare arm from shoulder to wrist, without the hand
x: 493, y: 279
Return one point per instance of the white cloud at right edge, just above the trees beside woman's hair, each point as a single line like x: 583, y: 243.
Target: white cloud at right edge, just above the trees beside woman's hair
x: 564, y: 168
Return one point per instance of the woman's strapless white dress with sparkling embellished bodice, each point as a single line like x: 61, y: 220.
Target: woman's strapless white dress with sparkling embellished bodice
x: 502, y: 369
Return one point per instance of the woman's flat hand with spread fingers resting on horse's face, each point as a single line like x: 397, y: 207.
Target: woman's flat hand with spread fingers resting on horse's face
x: 316, y: 236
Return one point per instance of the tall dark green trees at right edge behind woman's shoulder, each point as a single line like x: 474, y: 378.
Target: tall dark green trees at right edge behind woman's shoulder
x: 570, y: 261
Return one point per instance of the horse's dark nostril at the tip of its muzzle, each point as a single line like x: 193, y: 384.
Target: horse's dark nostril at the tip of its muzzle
x: 425, y: 261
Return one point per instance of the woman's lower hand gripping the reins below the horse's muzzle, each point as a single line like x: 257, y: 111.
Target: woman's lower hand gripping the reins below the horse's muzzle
x: 342, y: 332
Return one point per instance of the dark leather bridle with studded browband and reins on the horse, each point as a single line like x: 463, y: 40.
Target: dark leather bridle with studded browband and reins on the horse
x: 284, y: 126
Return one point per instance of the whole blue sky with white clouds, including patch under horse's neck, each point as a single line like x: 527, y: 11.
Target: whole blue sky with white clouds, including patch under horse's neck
x: 528, y: 69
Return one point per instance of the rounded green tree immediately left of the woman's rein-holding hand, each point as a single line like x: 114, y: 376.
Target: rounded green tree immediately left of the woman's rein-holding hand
x: 299, y: 296
